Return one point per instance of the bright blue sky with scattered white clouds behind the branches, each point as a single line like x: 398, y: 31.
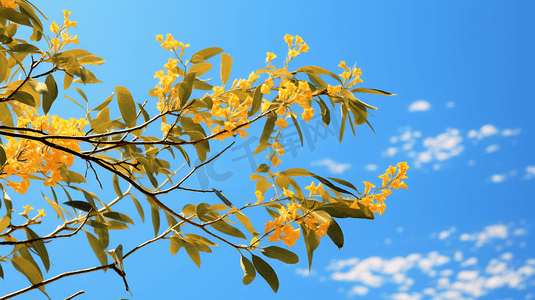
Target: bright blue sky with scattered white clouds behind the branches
x: 462, y: 72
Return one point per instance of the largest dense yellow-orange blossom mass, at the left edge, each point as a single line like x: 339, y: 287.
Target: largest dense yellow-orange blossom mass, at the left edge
x: 25, y: 157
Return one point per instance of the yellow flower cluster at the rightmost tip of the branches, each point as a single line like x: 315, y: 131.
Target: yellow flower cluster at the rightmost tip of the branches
x: 392, y: 178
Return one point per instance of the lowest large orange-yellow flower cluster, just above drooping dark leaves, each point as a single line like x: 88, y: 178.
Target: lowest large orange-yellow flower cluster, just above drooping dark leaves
x: 281, y: 228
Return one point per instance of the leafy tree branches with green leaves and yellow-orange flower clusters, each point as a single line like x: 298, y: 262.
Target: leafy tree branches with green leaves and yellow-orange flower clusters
x: 187, y: 118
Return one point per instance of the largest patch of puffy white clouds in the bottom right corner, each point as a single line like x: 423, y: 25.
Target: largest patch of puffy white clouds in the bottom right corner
x: 447, y: 277
